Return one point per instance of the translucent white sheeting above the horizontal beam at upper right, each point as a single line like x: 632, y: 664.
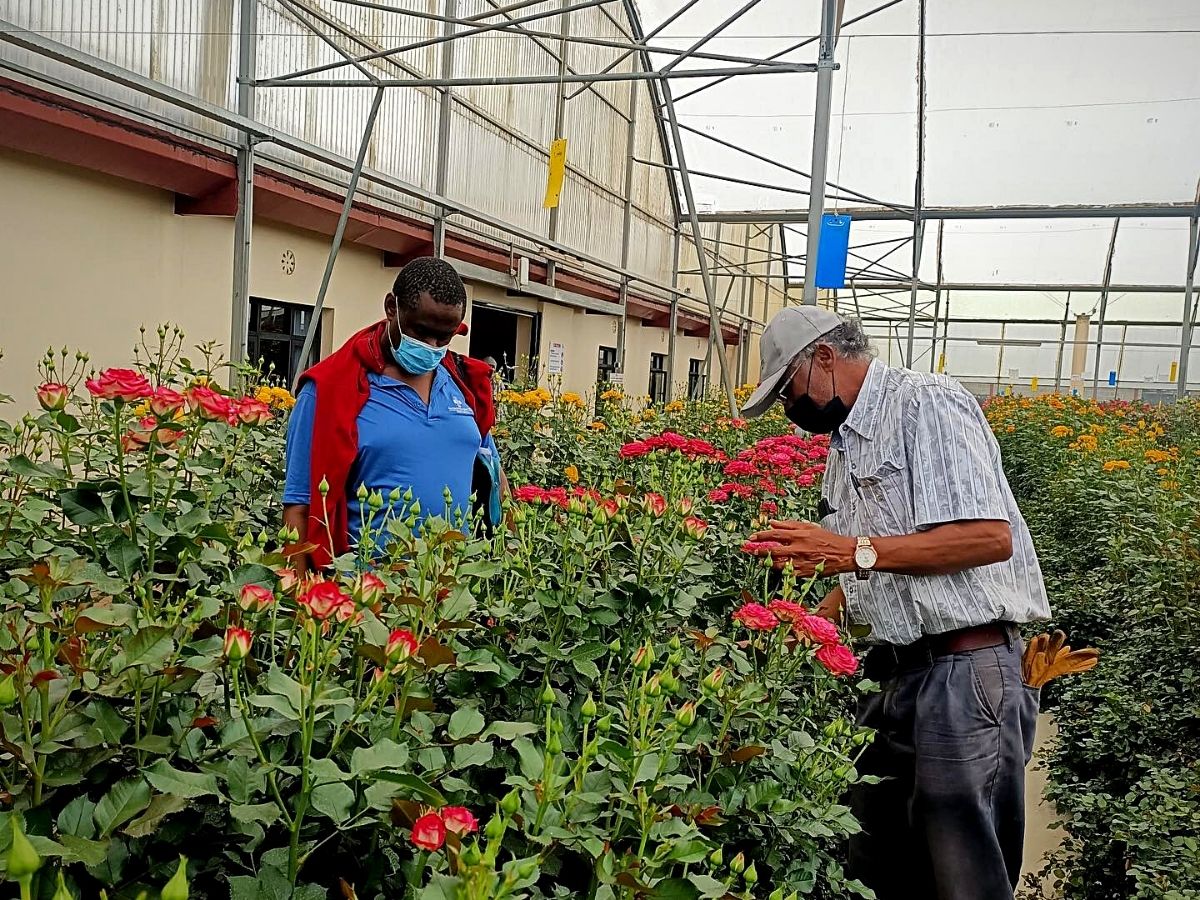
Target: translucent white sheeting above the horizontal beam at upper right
x: 1028, y: 103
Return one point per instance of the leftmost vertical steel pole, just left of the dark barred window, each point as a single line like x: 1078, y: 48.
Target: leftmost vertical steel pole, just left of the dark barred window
x: 244, y: 220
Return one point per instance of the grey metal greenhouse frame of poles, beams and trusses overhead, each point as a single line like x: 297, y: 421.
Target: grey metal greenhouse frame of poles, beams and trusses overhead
x: 713, y: 69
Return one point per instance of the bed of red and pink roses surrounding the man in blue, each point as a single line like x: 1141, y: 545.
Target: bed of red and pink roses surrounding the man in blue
x: 608, y: 699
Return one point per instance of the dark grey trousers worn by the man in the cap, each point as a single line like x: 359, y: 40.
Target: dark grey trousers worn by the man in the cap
x: 947, y: 821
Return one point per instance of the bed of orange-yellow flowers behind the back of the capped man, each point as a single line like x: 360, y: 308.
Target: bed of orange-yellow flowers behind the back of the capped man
x: 1112, y: 494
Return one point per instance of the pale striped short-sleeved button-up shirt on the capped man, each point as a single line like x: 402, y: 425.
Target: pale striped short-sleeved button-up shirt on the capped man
x: 916, y: 453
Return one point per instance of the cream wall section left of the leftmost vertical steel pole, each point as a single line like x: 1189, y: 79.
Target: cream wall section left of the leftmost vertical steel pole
x: 88, y: 260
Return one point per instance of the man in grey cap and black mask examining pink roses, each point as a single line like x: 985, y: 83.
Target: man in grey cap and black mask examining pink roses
x: 932, y: 553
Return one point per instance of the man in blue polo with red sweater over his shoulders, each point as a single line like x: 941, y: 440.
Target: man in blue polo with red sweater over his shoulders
x: 393, y: 413
